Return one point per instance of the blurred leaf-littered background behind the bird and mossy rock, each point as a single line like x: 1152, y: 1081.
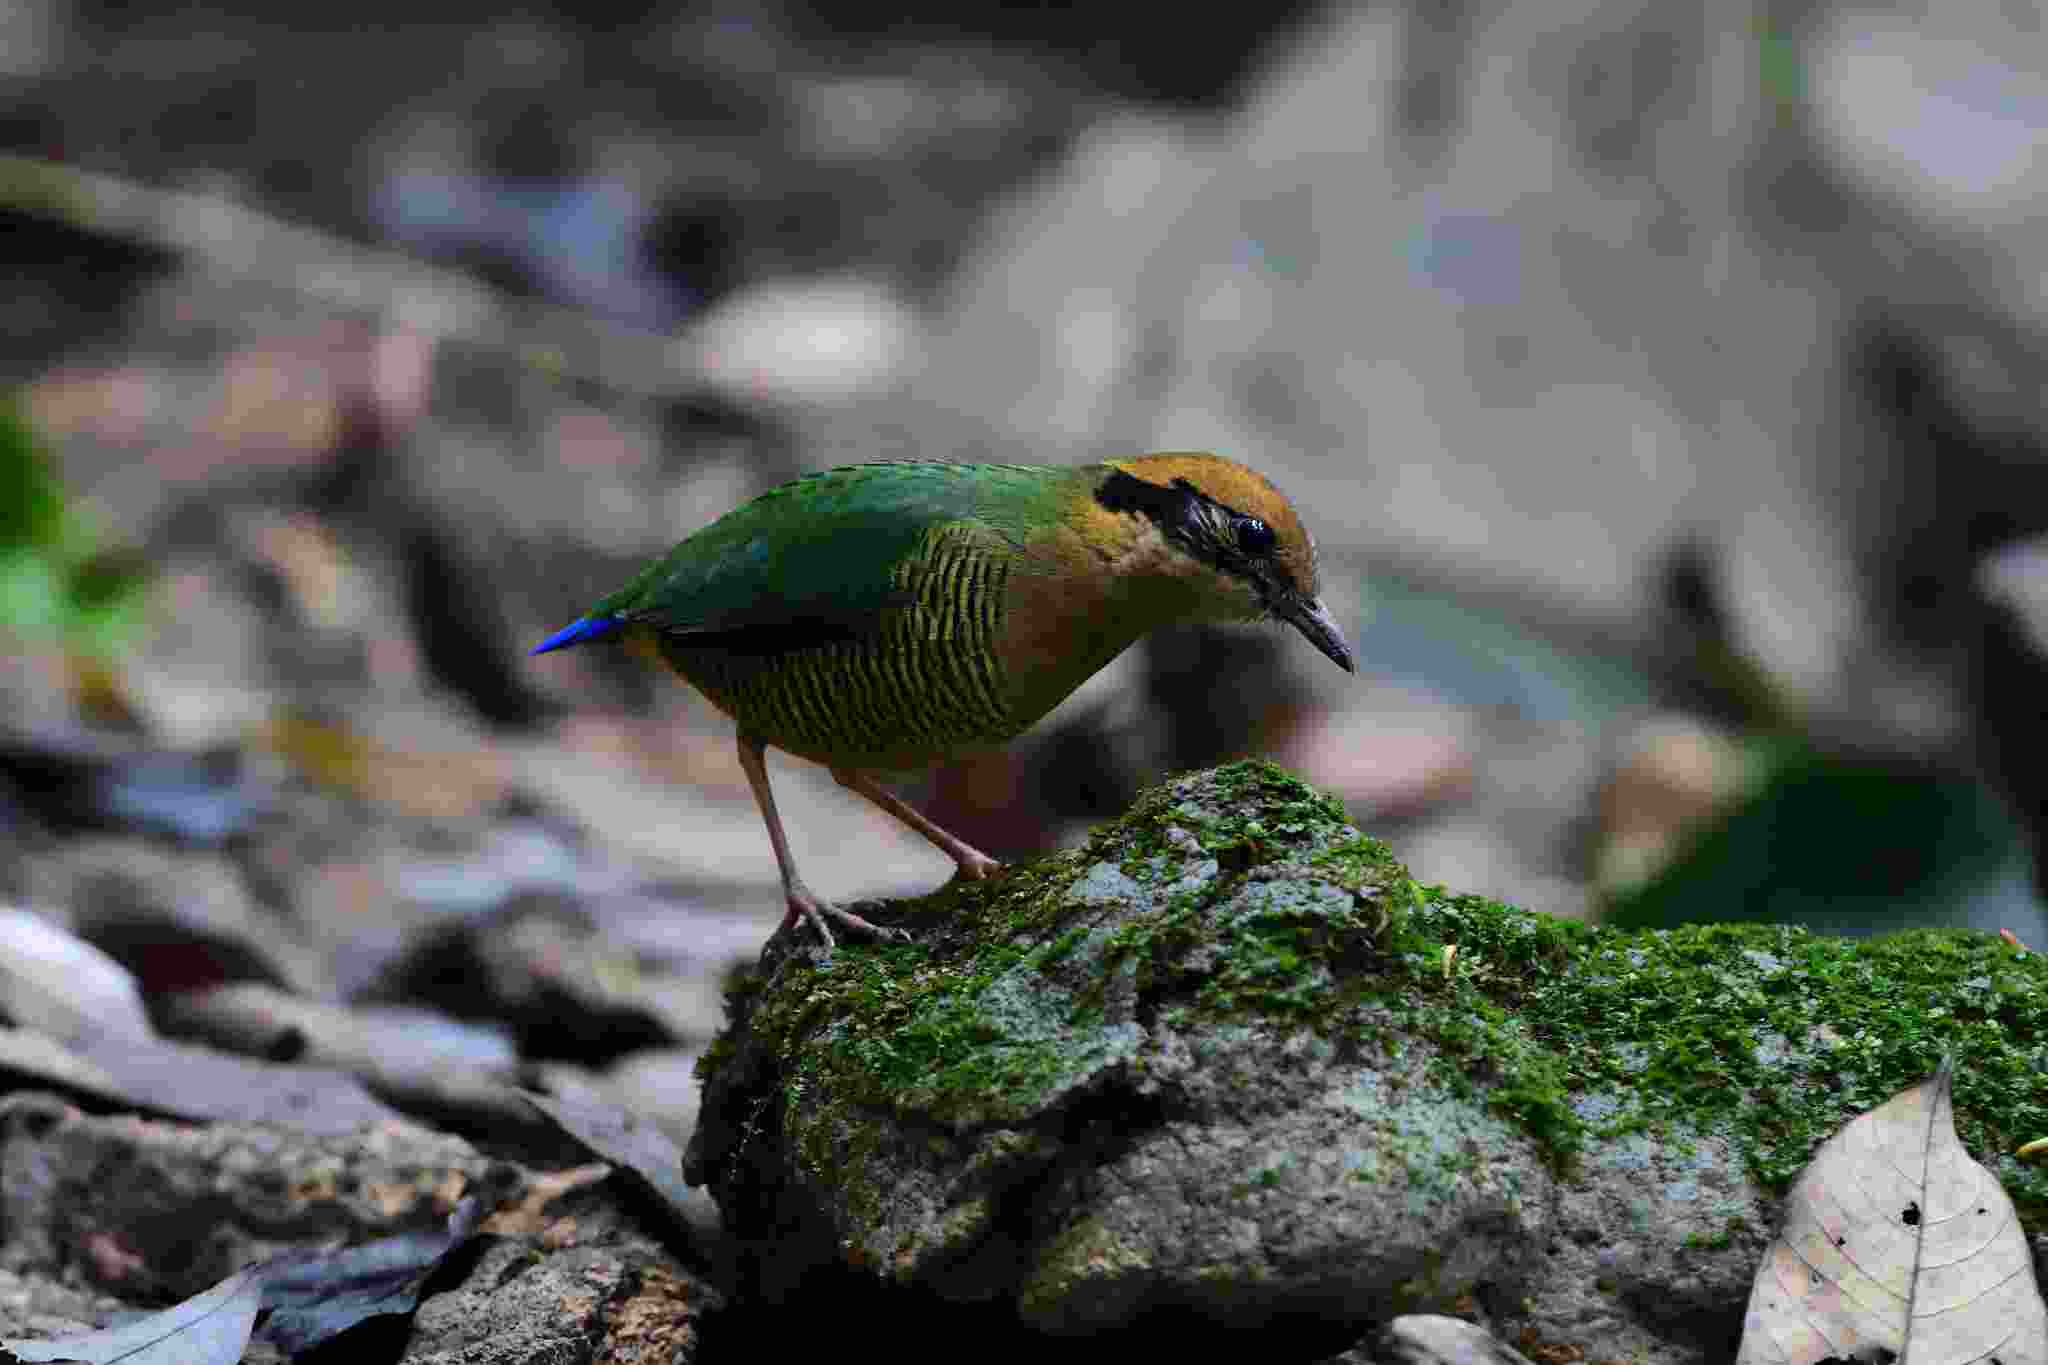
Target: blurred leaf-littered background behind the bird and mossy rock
x: 1662, y: 386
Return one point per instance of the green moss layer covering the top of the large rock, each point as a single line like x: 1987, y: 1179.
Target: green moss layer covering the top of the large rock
x: 1242, y: 897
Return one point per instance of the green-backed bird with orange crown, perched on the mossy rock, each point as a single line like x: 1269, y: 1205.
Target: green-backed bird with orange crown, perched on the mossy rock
x: 878, y: 619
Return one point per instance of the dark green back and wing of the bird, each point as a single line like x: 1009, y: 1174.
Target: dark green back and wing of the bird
x: 820, y: 558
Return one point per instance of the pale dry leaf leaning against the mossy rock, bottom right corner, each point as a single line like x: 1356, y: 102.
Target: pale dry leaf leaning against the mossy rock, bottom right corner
x: 1897, y: 1245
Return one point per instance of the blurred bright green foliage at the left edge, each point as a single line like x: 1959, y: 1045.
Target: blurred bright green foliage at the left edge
x: 56, y: 576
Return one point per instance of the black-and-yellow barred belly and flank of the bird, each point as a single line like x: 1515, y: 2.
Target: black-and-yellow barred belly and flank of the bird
x: 923, y: 682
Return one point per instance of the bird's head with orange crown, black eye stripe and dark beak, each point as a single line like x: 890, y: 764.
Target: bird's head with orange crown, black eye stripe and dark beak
x: 1232, y: 537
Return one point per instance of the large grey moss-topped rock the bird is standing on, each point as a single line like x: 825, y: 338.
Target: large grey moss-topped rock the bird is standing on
x: 1228, y: 1061
